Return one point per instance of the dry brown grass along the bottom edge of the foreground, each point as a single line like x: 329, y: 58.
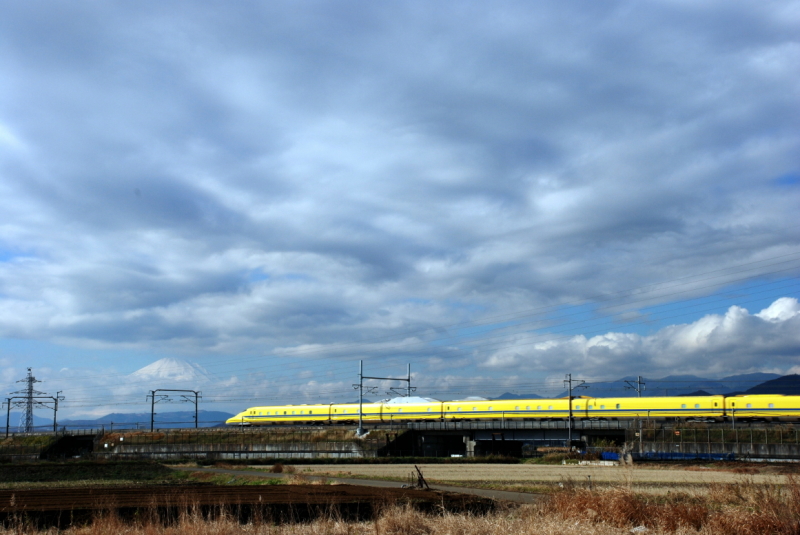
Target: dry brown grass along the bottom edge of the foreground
x: 746, y: 507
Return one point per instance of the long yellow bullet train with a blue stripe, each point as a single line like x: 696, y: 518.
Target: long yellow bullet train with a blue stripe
x: 687, y: 408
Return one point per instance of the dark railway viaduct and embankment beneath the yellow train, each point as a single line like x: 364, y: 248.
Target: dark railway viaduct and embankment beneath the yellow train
x: 664, y: 440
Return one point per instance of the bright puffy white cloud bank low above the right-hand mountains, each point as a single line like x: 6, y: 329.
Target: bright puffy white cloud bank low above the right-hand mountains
x: 715, y: 345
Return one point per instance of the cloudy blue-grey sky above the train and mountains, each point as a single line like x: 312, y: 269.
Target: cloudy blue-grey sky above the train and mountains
x: 496, y: 194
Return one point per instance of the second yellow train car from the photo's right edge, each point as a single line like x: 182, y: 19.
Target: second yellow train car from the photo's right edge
x: 685, y: 407
